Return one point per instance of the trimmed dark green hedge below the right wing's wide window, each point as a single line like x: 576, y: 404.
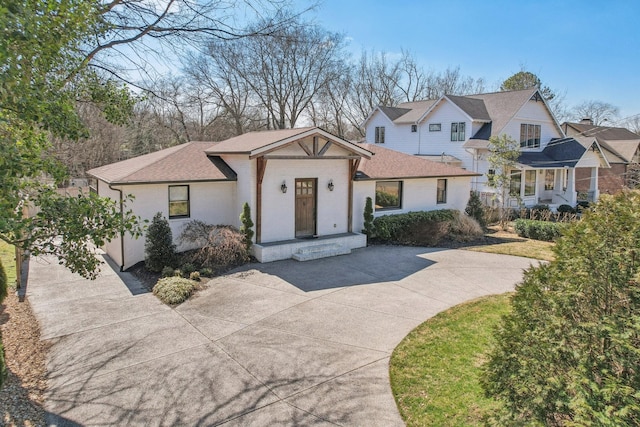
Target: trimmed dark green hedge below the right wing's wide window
x: 418, y: 228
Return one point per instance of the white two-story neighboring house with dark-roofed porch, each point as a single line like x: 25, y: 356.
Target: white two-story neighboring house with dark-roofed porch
x: 456, y: 130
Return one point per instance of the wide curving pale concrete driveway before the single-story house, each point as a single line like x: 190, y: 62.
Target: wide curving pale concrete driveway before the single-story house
x: 285, y: 343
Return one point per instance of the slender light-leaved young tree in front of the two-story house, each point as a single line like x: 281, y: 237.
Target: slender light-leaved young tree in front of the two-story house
x: 503, y: 155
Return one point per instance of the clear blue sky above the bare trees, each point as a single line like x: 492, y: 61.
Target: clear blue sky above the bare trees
x: 590, y: 49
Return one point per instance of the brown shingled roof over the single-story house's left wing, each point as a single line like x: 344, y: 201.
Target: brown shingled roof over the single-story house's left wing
x: 182, y: 163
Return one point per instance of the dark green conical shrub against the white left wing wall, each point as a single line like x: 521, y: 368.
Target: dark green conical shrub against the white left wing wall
x: 159, y: 249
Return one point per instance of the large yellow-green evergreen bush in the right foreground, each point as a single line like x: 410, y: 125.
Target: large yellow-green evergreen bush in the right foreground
x: 569, y: 353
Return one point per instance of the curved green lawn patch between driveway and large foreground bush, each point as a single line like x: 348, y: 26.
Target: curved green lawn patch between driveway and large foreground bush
x: 434, y: 371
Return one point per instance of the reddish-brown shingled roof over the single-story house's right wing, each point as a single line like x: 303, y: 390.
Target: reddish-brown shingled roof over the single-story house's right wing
x: 391, y: 164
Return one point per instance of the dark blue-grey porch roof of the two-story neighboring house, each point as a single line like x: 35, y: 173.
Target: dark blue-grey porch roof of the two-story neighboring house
x: 558, y: 153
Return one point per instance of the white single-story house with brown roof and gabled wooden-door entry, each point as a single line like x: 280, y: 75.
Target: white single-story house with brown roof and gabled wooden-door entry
x: 306, y: 189
